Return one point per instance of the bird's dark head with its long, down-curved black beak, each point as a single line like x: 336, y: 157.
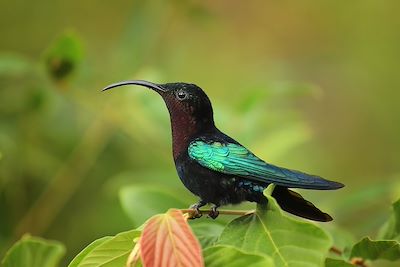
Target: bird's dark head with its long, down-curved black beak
x: 184, y: 100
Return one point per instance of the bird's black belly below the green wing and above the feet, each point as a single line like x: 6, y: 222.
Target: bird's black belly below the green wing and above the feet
x: 214, y: 187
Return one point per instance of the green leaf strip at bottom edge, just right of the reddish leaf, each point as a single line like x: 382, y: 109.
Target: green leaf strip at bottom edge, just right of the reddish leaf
x: 221, y: 256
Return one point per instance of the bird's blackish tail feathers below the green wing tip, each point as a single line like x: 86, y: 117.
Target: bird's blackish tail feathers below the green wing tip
x: 294, y: 203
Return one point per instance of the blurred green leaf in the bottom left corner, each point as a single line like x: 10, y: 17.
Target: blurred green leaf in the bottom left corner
x: 34, y: 252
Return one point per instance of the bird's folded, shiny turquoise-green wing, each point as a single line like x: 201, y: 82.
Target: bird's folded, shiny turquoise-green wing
x: 235, y: 159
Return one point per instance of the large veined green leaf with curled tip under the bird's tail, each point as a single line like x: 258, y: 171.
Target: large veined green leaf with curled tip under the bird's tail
x: 290, y: 242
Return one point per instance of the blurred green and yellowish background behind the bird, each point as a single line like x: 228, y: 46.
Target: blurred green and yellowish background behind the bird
x: 310, y: 85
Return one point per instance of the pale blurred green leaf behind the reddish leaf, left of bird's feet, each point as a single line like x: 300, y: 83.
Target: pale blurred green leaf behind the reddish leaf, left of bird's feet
x: 142, y: 202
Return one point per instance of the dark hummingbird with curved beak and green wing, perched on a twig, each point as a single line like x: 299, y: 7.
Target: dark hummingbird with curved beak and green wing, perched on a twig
x: 218, y: 169
